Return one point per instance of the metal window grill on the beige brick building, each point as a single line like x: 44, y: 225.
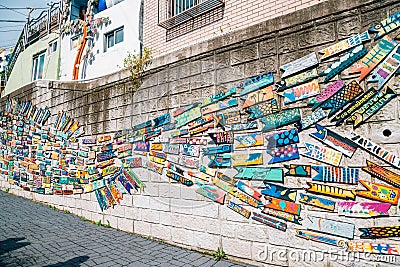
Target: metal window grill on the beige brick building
x: 166, y: 11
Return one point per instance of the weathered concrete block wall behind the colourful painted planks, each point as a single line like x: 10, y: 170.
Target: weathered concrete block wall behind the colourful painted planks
x: 175, y: 213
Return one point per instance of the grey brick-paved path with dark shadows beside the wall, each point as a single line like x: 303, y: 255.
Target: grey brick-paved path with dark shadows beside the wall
x: 32, y: 234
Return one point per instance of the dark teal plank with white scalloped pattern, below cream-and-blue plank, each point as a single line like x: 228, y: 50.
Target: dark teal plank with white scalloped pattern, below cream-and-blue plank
x: 344, y: 62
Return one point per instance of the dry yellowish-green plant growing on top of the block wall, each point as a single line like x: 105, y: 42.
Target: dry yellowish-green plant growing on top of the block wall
x: 136, y: 64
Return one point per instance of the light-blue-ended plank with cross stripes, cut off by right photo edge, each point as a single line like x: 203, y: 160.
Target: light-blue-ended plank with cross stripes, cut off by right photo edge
x: 387, y: 68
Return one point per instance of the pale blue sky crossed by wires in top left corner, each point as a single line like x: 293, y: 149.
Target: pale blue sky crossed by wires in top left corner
x: 10, y: 31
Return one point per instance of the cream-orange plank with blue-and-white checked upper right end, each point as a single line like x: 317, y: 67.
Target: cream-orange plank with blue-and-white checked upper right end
x: 344, y: 45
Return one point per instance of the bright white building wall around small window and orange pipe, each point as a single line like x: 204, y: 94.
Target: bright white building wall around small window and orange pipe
x: 124, y: 14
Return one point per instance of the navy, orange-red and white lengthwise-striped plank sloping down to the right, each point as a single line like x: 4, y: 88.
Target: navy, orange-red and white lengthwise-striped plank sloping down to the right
x: 335, y: 140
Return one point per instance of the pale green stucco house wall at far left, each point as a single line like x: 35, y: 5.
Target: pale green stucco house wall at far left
x: 22, y: 71
